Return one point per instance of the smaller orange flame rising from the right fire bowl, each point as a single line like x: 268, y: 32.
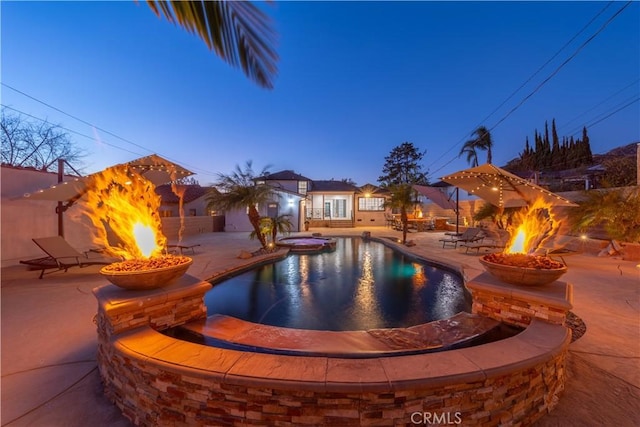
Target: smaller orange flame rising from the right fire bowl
x: 533, y: 226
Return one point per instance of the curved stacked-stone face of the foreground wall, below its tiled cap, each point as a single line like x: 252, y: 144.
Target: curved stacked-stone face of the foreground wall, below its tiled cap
x: 152, y: 394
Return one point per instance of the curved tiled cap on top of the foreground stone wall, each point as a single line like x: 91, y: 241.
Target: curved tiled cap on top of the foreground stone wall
x: 539, y: 343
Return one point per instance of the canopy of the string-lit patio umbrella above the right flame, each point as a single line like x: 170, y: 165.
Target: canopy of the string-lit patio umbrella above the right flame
x: 502, y: 188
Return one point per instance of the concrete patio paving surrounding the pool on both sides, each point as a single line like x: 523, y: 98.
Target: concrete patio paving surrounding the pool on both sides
x: 50, y: 378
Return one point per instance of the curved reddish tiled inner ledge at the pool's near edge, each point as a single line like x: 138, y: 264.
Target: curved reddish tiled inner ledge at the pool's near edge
x: 445, y: 334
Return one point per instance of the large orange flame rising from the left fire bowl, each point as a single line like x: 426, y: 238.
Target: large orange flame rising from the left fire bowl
x: 123, y: 208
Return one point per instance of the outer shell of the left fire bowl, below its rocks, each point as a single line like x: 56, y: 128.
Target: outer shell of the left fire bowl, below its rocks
x: 147, y: 279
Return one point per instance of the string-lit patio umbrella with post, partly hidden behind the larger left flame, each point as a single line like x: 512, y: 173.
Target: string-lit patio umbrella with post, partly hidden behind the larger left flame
x: 156, y: 169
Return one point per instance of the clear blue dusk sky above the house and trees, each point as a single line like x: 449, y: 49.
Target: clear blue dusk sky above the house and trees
x: 355, y: 80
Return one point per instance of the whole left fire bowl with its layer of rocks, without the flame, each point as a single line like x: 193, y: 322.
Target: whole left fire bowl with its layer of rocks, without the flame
x: 147, y: 274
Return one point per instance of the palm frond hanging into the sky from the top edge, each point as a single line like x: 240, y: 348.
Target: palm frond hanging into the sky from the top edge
x: 237, y: 31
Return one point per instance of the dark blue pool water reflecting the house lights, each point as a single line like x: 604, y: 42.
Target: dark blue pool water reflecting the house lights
x: 361, y: 285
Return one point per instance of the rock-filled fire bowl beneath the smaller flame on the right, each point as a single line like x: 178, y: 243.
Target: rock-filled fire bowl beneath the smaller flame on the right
x: 521, y: 269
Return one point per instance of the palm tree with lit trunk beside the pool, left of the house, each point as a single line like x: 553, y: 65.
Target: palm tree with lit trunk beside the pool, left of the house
x: 238, y: 190
